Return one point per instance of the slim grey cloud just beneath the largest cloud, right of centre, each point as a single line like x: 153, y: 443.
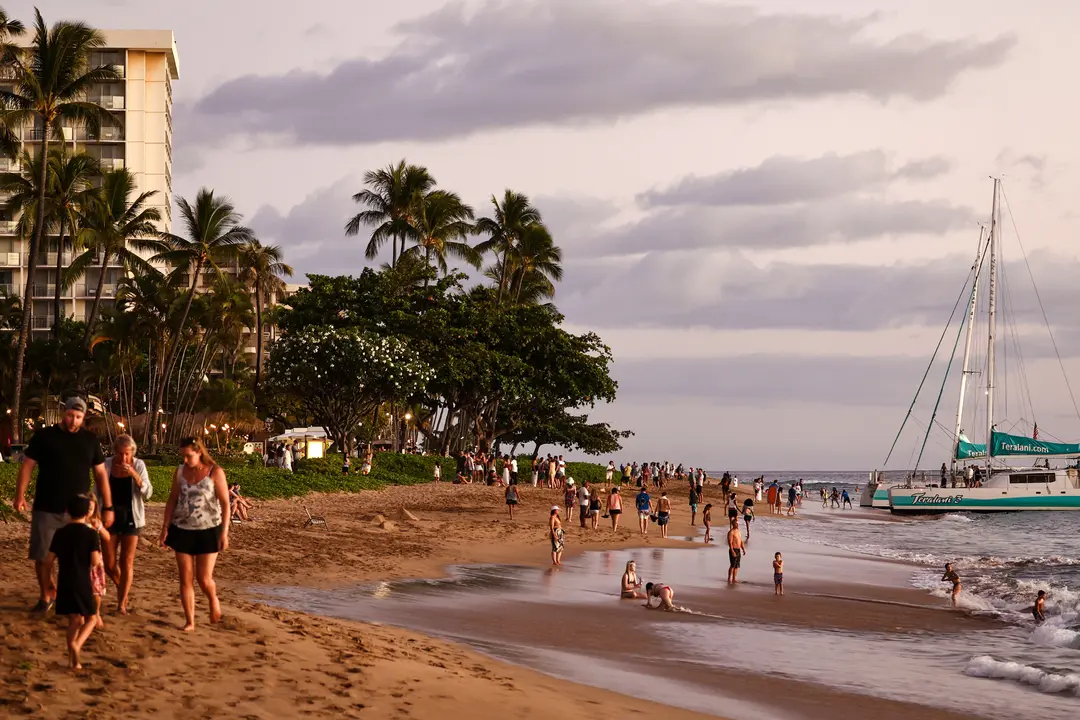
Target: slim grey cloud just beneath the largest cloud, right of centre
x: 780, y: 181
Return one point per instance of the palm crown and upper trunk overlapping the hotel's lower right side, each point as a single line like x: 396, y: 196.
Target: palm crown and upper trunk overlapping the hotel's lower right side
x: 113, y: 225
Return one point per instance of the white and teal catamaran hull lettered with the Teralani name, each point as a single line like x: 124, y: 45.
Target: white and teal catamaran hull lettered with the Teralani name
x: 928, y: 501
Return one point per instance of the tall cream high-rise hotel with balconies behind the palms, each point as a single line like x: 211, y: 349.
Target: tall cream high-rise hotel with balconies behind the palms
x: 143, y: 103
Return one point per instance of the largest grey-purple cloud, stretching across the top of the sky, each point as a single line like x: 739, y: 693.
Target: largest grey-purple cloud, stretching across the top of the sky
x: 514, y: 64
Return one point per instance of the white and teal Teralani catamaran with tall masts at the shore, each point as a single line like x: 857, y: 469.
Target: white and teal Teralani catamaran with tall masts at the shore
x: 1004, y: 487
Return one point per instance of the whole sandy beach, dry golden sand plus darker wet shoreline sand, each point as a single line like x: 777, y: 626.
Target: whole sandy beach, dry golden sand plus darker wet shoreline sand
x: 272, y: 662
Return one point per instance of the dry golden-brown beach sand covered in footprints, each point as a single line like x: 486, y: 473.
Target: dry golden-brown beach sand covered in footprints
x: 269, y: 663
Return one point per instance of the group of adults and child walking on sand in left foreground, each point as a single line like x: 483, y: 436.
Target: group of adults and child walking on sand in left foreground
x: 92, y: 538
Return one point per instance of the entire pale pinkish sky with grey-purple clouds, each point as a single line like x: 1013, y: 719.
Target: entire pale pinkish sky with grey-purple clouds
x: 767, y: 210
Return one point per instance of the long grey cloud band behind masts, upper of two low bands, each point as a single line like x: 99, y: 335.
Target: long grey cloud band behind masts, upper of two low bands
x: 727, y: 292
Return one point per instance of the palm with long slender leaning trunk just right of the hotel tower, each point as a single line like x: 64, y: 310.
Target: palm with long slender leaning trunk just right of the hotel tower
x: 215, y: 237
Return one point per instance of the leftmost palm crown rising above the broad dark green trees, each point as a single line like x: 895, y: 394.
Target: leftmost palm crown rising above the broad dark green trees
x: 390, y: 199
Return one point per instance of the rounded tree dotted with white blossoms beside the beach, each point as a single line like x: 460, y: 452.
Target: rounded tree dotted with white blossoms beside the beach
x: 342, y: 377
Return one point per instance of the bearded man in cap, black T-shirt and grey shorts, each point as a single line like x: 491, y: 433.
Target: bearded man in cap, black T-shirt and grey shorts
x: 64, y: 455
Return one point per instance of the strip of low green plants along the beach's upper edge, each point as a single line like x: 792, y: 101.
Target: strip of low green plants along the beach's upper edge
x: 317, y: 476
